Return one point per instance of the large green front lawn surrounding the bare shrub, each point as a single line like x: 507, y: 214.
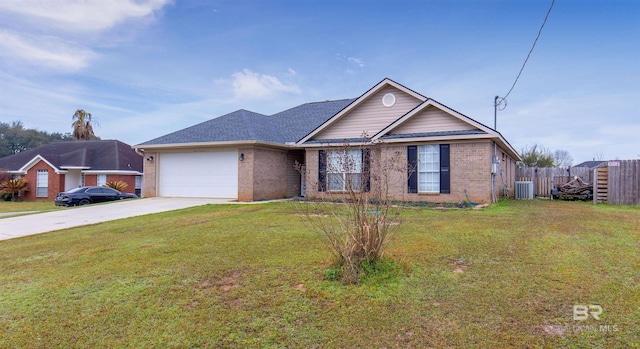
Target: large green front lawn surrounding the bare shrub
x: 242, y: 276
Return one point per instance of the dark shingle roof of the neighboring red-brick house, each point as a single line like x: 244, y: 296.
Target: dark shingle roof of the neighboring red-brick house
x: 105, y: 155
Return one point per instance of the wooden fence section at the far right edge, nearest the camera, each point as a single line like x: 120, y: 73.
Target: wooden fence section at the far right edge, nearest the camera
x: 618, y: 183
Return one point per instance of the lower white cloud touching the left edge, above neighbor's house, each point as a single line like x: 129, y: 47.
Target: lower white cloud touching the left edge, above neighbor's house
x: 45, y: 51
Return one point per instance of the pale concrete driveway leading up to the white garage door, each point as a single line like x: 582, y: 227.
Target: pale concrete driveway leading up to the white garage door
x: 38, y: 223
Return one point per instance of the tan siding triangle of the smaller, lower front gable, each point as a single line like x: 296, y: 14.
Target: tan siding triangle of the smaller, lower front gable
x: 432, y: 119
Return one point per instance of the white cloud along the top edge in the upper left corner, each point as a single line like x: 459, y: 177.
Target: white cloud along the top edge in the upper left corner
x: 77, y: 15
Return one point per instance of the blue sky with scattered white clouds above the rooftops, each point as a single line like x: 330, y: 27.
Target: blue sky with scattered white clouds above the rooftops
x: 147, y: 68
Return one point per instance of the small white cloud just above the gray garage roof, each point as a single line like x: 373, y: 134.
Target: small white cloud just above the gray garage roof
x: 251, y: 85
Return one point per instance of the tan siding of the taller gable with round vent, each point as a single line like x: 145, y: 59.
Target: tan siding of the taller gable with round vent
x: 370, y: 116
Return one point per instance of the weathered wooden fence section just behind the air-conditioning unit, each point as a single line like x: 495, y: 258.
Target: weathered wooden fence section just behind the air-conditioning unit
x: 546, y: 178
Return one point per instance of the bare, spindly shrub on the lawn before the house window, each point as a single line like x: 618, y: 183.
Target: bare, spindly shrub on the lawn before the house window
x: 353, y: 211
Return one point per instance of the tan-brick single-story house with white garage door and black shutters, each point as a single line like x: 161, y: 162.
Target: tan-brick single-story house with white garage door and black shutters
x: 249, y: 156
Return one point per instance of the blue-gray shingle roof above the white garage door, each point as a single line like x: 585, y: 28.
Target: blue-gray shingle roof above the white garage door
x: 243, y: 125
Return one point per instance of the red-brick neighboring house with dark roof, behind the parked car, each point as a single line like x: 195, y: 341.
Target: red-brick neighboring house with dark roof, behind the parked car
x: 61, y: 166
